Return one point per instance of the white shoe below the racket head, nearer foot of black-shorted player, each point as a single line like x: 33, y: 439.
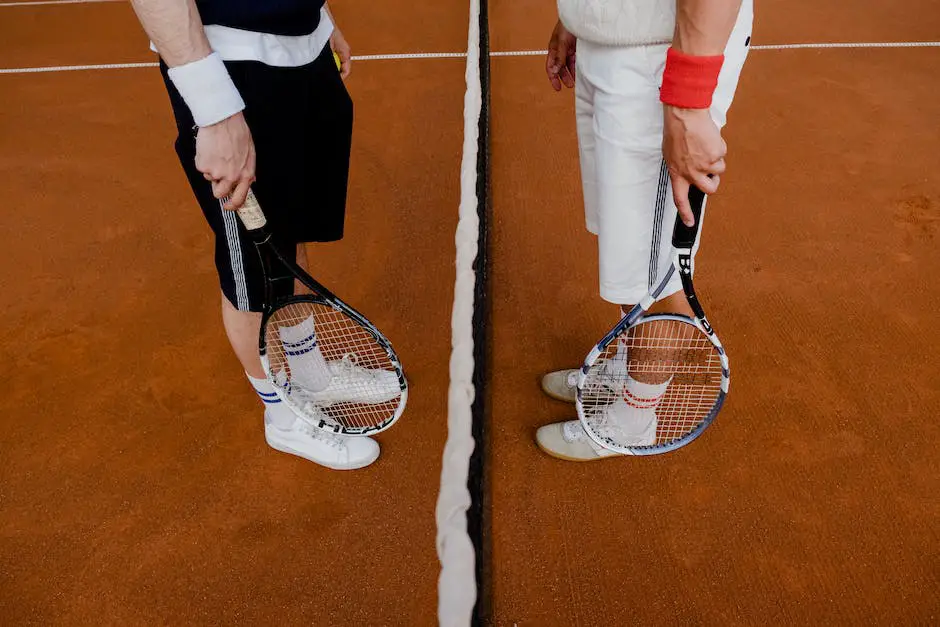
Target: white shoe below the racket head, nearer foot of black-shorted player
x: 338, y: 452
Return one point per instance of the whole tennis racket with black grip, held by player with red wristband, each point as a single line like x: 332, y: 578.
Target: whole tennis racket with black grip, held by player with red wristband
x: 656, y: 381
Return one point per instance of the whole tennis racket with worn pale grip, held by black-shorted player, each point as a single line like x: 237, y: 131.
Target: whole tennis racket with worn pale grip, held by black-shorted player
x: 326, y: 361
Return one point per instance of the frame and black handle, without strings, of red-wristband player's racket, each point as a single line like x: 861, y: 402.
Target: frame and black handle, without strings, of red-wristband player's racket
x: 682, y: 262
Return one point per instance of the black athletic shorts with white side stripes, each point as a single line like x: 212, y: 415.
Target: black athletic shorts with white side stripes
x: 300, y: 119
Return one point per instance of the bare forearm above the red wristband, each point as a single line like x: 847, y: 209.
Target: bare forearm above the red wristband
x: 704, y: 26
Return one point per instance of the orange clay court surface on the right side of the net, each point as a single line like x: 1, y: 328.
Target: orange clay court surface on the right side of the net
x: 812, y: 499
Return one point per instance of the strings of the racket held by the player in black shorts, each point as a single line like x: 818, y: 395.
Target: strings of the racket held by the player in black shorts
x: 329, y: 367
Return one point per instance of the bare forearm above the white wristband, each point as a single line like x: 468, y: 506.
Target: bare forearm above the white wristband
x: 175, y: 28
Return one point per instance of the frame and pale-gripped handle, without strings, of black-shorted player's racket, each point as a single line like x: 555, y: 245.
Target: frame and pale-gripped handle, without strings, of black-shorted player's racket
x: 255, y: 223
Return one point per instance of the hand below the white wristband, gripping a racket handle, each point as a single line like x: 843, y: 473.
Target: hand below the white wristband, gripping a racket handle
x: 225, y: 154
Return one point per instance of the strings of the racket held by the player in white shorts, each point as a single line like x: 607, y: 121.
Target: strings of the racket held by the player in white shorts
x: 655, y: 383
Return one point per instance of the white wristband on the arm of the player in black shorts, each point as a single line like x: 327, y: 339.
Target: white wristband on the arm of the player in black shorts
x: 207, y: 89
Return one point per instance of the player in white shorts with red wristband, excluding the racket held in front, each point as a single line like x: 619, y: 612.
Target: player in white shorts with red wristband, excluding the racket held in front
x: 653, y: 81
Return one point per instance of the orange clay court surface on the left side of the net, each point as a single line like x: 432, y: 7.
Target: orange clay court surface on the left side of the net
x: 136, y: 487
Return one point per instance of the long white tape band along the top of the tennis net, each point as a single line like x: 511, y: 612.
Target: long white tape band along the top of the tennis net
x: 457, y: 590
